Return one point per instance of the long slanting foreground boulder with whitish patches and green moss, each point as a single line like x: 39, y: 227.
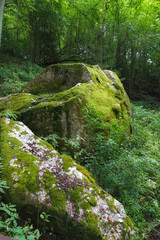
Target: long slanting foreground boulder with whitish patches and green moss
x: 40, y: 179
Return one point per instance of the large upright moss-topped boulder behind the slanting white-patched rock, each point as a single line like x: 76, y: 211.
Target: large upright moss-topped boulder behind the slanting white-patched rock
x: 65, y: 90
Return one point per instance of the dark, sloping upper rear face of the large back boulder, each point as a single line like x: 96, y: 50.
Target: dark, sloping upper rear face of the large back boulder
x: 58, y: 77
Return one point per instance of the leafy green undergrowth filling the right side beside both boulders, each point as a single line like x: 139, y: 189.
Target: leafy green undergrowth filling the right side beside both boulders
x: 128, y: 166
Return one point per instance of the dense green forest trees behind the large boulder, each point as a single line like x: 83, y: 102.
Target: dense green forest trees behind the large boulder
x: 121, y: 35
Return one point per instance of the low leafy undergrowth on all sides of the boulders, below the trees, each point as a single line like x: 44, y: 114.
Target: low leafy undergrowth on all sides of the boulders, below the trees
x: 128, y: 167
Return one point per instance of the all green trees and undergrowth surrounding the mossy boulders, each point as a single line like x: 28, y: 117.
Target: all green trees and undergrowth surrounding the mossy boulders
x: 120, y: 35
